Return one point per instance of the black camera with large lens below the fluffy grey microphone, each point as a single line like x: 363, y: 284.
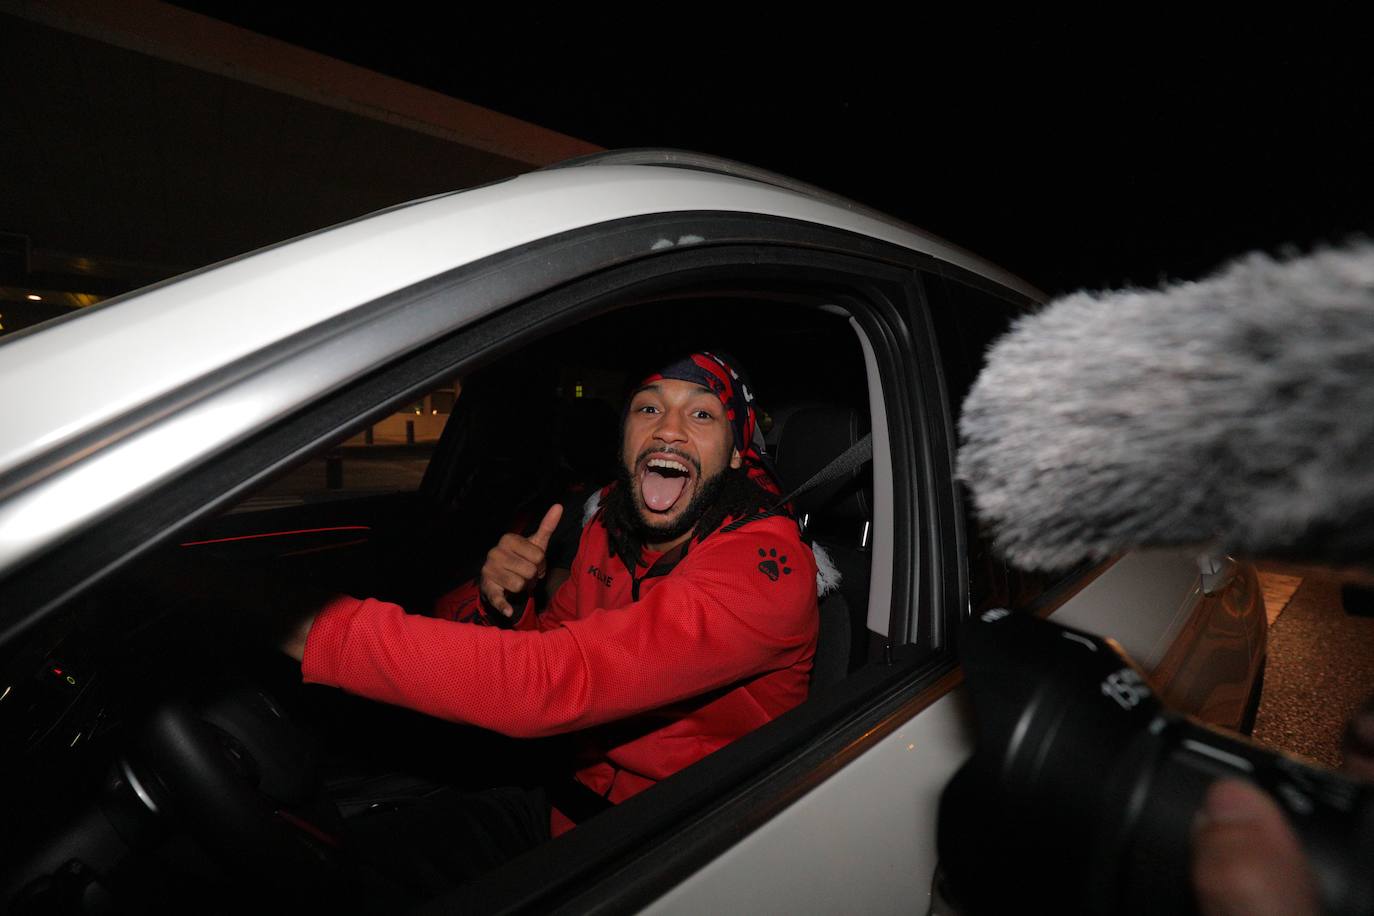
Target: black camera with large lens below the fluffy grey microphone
x: 1083, y: 788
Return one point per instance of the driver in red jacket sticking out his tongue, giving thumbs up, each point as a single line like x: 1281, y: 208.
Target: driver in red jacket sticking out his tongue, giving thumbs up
x: 689, y: 620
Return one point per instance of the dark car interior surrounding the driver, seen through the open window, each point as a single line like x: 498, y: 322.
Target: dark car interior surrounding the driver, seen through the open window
x: 112, y: 805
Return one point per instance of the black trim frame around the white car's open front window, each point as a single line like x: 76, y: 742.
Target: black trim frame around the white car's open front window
x: 799, y: 752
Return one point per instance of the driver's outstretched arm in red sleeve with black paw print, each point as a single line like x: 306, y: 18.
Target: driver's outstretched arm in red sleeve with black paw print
x: 719, y: 619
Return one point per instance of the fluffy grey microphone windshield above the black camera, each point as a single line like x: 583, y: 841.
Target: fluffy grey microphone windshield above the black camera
x: 1236, y: 411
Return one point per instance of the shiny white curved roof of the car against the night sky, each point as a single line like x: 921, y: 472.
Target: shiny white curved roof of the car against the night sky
x: 82, y: 373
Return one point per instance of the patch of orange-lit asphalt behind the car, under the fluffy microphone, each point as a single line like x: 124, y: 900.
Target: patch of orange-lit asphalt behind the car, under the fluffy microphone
x: 1321, y: 669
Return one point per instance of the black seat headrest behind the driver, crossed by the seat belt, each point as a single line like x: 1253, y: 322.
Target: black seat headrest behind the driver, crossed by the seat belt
x: 809, y: 440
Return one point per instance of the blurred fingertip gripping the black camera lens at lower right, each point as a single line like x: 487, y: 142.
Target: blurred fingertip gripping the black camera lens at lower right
x: 1246, y: 858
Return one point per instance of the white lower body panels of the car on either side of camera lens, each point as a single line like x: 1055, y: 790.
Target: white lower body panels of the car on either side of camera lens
x: 865, y: 840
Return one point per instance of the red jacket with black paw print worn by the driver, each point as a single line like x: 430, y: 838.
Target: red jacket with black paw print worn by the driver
x: 710, y: 652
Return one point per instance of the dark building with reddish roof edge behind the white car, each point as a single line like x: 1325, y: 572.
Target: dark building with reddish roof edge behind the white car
x: 141, y: 141
